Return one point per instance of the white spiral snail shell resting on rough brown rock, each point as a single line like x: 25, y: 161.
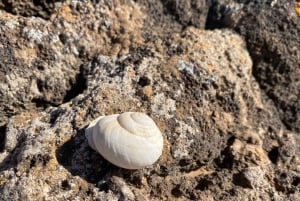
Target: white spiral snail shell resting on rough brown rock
x: 129, y: 140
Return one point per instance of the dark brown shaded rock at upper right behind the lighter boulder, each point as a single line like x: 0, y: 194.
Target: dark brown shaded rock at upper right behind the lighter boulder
x: 271, y: 30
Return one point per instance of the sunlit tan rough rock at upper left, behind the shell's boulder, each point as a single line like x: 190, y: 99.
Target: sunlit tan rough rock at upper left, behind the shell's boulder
x: 41, y: 60
